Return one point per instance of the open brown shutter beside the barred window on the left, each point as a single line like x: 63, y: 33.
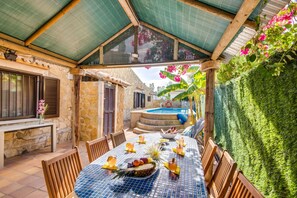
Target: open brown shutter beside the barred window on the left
x: 50, y: 92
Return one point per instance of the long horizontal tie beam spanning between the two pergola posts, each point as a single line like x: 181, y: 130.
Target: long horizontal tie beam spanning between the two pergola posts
x: 102, y: 66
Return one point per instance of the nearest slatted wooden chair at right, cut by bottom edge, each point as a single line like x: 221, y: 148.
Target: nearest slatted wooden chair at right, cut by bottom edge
x: 242, y: 188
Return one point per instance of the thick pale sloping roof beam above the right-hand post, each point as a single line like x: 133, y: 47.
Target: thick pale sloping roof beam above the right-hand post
x: 243, y: 13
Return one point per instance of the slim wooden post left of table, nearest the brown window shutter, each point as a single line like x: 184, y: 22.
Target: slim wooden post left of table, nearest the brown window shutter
x: 76, y: 125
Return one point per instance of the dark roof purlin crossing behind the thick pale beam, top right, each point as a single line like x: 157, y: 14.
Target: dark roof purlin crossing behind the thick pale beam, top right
x: 218, y: 12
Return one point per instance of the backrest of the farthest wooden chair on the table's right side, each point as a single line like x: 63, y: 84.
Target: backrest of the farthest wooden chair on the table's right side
x: 208, y: 154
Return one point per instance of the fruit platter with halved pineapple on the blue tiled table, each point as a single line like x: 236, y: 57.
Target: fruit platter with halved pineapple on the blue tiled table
x: 139, y: 169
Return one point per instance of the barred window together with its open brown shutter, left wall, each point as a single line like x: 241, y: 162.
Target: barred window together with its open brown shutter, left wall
x: 19, y: 95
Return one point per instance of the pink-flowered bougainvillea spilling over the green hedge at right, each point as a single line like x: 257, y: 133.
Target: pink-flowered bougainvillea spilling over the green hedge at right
x: 279, y: 35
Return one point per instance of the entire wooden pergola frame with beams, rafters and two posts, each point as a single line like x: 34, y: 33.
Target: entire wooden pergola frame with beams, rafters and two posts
x: 237, y: 20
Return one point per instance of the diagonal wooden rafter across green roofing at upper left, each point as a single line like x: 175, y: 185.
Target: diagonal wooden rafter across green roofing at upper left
x: 51, y: 22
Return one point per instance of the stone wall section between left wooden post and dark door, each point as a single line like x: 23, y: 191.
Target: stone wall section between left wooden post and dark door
x: 89, y: 111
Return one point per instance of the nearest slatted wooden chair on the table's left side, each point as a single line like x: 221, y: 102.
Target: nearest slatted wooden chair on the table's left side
x: 60, y: 173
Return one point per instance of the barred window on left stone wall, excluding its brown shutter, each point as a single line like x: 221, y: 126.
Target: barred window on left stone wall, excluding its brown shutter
x: 18, y: 95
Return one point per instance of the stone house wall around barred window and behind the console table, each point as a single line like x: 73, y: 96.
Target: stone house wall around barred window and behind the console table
x: 24, y: 141
